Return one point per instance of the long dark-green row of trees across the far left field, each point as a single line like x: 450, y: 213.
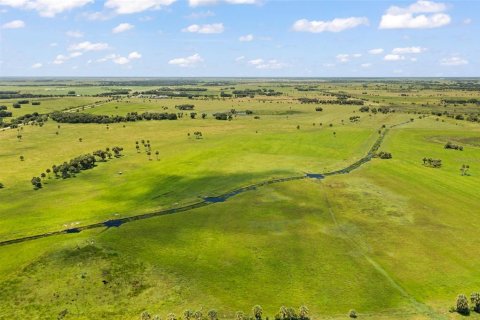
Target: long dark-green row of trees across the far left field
x: 78, y: 117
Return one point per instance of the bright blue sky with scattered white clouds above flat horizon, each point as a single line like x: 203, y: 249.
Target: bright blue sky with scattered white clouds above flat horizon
x: 239, y: 38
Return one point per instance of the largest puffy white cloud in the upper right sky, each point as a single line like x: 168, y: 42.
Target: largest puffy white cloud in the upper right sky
x: 419, y: 15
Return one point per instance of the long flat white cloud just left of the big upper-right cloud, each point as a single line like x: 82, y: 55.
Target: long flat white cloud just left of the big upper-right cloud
x: 336, y: 25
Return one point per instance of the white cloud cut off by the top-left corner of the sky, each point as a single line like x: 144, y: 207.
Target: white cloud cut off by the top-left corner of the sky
x: 46, y: 8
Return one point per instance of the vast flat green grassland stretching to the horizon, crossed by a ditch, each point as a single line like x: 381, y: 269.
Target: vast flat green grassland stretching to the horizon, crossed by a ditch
x: 392, y: 238
